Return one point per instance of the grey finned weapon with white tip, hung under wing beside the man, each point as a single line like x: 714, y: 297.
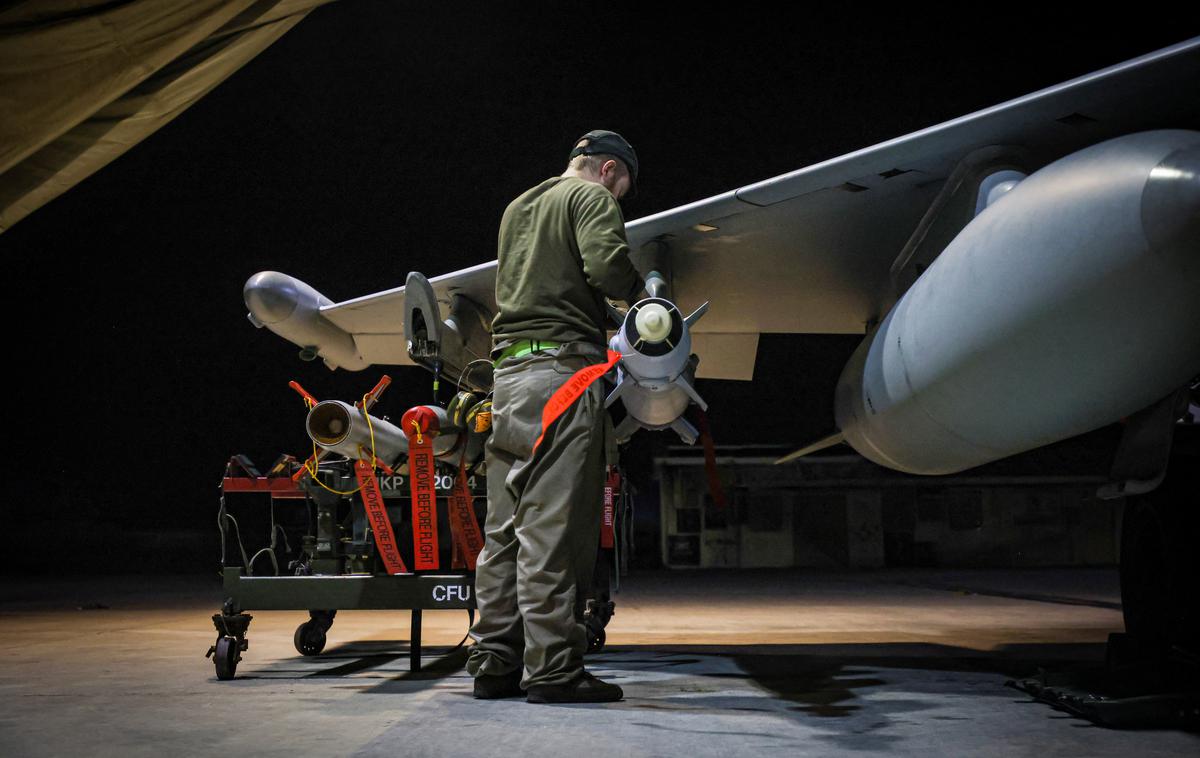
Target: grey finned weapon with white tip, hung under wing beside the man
x: 657, y: 372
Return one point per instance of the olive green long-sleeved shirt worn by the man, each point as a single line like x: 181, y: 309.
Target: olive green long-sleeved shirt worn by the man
x: 562, y: 249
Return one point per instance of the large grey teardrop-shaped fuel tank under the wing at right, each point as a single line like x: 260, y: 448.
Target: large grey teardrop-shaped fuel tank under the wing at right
x: 1067, y: 304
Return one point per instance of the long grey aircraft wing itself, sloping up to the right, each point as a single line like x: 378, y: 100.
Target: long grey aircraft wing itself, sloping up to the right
x: 820, y: 250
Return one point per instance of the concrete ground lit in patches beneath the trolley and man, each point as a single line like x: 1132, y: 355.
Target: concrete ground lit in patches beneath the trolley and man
x: 713, y: 664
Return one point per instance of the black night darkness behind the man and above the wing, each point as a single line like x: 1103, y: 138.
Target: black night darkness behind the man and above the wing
x: 379, y: 139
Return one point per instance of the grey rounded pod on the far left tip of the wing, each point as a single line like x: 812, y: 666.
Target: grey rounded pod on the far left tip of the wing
x: 292, y: 310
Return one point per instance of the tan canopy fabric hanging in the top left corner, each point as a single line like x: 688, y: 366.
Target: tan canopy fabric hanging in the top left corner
x: 85, y: 81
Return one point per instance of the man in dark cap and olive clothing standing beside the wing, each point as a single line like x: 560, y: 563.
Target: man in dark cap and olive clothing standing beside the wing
x: 562, y: 250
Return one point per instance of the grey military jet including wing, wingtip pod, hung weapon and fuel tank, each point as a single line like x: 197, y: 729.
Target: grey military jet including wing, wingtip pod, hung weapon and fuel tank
x: 1022, y: 275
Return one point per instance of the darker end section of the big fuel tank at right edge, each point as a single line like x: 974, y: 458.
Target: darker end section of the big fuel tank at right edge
x: 1171, y: 208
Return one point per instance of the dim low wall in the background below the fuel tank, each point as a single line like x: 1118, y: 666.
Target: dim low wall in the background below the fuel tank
x: 845, y: 513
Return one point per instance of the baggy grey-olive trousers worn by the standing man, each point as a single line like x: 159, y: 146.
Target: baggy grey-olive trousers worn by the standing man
x: 543, y: 526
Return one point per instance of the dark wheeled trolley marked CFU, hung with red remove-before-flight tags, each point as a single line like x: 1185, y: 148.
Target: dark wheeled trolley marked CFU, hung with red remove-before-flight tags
x: 359, y: 549
